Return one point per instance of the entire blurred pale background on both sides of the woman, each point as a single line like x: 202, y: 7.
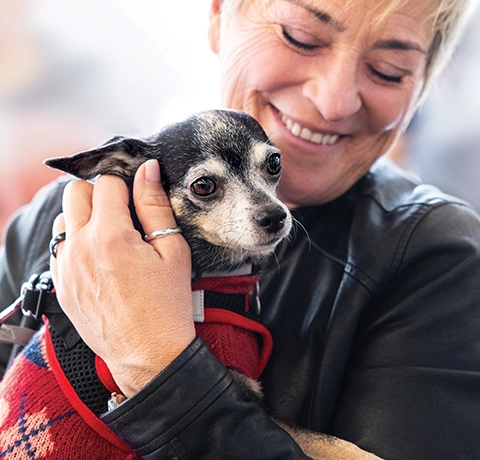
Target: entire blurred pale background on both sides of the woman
x: 73, y: 73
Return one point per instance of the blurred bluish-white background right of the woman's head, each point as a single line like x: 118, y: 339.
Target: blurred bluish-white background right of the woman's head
x: 442, y: 144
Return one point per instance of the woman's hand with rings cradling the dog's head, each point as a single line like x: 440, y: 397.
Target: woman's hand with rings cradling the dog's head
x: 130, y: 301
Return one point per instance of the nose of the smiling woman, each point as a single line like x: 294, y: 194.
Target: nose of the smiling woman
x: 333, y: 88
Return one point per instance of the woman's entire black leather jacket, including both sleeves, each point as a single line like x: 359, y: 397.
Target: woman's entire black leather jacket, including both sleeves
x: 374, y: 308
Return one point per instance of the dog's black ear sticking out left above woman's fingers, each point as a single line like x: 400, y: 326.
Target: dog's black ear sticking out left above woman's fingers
x: 120, y: 156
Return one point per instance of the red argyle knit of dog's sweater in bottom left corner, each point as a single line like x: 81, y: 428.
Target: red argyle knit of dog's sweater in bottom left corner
x: 42, y: 418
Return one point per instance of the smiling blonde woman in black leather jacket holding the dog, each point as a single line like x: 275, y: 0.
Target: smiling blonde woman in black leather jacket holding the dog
x: 375, y: 316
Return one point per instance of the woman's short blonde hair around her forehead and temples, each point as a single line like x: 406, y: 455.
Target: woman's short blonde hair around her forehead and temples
x: 449, y: 18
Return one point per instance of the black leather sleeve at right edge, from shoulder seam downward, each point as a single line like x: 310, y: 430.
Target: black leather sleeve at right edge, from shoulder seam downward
x: 412, y: 386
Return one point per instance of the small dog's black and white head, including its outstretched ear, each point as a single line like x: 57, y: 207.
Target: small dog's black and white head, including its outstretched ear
x: 220, y: 172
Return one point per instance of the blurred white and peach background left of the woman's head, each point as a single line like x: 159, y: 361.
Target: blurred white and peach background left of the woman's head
x: 73, y: 73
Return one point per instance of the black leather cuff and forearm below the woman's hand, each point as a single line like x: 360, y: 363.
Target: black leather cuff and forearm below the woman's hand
x: 194, y: 410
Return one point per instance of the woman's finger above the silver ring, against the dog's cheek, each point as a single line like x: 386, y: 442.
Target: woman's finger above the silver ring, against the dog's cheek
x: 151, y: 202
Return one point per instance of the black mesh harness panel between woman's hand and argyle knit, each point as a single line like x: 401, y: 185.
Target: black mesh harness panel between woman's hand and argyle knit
x: 78, y: 364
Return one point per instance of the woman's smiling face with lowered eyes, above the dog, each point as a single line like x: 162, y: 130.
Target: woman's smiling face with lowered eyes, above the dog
x: 331, y: 86
